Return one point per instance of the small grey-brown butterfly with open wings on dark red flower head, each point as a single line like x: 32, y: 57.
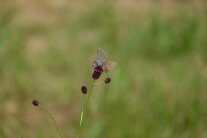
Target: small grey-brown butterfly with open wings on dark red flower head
x: 101, y: 64
